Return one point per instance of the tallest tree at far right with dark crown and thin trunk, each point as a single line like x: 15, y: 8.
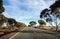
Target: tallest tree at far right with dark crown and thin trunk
x: 55, y: 11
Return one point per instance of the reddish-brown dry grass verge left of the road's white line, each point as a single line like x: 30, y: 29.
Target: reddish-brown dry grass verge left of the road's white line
x: 6, y: 33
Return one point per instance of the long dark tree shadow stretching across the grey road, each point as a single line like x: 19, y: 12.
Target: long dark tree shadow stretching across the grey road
x: 31, y: 31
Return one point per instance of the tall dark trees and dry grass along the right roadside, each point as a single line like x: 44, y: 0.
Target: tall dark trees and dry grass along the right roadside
x: 51, y: 16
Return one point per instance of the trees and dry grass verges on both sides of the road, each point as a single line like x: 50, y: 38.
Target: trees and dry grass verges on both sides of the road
x: 49, y: 15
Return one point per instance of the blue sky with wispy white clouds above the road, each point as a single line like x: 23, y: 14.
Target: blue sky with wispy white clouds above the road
x: 25, y: 10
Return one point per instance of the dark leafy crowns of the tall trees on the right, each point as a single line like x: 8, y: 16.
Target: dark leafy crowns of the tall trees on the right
x: 53, y: 11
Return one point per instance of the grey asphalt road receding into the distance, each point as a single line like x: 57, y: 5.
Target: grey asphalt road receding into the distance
x: 32, y: 33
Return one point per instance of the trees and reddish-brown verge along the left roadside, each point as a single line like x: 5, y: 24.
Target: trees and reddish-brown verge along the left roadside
x: 8, y: 25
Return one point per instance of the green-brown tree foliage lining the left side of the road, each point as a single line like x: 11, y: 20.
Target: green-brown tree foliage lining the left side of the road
x: 10, y: 21
